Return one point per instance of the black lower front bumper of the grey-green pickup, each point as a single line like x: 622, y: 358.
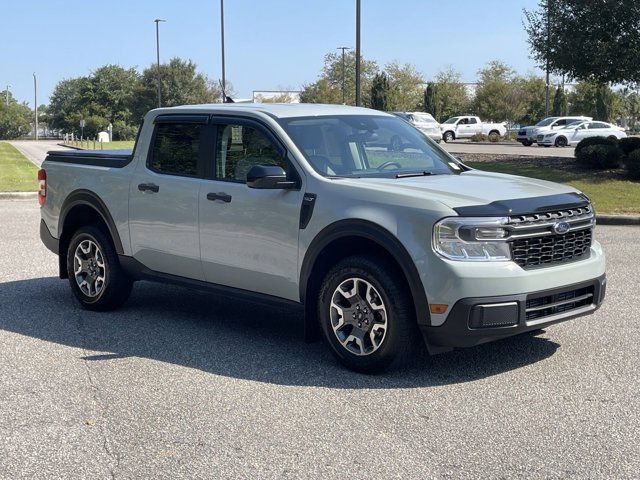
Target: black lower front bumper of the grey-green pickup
x: 510, y: 315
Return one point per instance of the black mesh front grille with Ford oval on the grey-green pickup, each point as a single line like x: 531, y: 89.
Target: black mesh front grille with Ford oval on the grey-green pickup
x: 534, y: 242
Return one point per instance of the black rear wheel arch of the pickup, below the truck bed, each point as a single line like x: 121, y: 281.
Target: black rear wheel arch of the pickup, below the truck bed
x: 83, y: 207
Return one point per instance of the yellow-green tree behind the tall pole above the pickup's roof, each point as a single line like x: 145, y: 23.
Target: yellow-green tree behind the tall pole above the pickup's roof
x: 328, y: 87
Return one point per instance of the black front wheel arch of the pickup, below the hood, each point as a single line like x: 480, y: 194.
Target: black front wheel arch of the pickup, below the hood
x: 347, y: 237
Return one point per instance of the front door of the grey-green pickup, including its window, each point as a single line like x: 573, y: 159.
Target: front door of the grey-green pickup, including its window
x: 249, y: 237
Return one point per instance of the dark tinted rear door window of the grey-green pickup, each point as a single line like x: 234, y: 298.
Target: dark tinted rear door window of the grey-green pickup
x: 176, y: 149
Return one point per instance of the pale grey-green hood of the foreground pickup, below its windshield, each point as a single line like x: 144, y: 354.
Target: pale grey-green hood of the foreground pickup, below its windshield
x: 470, y: 188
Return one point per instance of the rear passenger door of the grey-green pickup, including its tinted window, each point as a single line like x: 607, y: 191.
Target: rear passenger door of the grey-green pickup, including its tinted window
x: 163, y: 196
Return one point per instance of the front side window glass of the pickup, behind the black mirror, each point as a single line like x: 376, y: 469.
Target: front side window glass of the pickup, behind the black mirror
x: 240, y: 147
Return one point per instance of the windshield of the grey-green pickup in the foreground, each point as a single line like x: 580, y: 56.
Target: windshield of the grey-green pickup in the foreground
x: 366, y: 145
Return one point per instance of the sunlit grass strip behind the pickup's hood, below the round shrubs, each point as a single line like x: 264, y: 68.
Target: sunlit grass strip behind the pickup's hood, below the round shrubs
x: 609, y: 192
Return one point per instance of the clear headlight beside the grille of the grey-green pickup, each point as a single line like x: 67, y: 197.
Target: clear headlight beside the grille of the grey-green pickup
x: 481, y: 239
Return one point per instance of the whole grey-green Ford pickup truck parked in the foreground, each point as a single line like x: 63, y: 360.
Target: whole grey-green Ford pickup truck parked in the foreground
x: 385, y: 239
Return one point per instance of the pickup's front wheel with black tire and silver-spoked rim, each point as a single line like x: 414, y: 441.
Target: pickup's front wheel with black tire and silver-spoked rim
x: 382, y: 311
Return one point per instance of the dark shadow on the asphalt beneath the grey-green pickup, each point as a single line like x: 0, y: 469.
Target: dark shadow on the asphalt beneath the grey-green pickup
x: 240, y: 340
